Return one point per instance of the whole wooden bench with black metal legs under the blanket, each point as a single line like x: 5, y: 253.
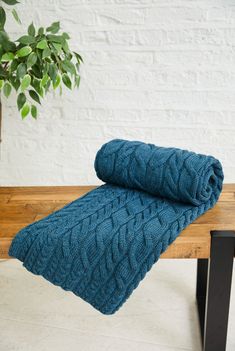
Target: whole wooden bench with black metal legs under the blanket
x: 210, y: 240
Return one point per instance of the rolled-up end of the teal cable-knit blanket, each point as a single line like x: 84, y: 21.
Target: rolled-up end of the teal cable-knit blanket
x: 171, y: 173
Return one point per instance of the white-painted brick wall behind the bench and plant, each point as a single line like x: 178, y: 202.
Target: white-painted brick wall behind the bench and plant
x: 161, y: 71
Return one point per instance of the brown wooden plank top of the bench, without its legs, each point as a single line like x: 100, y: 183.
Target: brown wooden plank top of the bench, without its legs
x: 20, y: 206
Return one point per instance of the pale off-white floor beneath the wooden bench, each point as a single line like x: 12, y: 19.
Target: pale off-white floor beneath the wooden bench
x: 159, y: 316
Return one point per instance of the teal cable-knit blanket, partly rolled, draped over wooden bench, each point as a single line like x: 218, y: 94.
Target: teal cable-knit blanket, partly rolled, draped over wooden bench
x: 101, y: 245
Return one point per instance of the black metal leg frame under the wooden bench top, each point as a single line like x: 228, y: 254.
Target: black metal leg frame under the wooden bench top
x: 214, y: 278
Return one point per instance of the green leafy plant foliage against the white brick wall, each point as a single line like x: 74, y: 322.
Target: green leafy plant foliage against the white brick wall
x: 35, y: 63
